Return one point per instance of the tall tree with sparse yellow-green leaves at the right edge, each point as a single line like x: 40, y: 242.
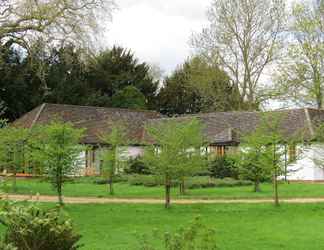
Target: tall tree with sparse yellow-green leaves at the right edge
x: 301, y: 71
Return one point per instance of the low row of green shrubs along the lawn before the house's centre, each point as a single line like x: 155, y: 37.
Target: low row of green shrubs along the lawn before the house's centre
x: 190, y: 183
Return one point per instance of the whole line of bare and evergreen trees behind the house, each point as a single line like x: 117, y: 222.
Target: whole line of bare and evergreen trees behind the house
x: 251, y: 52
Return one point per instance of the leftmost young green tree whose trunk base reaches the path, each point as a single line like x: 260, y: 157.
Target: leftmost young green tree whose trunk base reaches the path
x: 57, y: 147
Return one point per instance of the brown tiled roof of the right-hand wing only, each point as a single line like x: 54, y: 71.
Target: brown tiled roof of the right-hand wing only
x: 228, y: 127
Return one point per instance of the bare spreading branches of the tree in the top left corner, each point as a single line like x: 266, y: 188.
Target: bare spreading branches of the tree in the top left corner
x: 23, y: 21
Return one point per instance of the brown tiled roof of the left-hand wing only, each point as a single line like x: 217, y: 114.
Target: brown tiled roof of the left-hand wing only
x: 96, y: 120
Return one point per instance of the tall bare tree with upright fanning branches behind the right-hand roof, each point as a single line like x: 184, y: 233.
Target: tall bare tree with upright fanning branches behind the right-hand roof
x: 243, y: 37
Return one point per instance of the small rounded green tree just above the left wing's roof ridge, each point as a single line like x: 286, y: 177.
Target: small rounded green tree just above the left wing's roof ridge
x: 129, y: 97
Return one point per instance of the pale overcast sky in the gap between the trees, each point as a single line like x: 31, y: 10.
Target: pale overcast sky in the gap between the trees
x: 158, y: 31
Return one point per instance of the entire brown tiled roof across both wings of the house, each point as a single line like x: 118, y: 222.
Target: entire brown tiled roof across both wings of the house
x: 219, y: 128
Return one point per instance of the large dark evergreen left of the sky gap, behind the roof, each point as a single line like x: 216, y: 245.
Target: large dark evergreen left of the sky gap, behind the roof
x: 115, y: 69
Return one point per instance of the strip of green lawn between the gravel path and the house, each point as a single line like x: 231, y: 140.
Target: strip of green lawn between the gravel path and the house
x: 27, y: 186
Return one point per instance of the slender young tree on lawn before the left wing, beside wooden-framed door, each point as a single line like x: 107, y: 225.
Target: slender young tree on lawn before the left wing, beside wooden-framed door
x: 111, y: 157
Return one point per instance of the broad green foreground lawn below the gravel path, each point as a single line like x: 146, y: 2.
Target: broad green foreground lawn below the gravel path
x: 245, y: 227
